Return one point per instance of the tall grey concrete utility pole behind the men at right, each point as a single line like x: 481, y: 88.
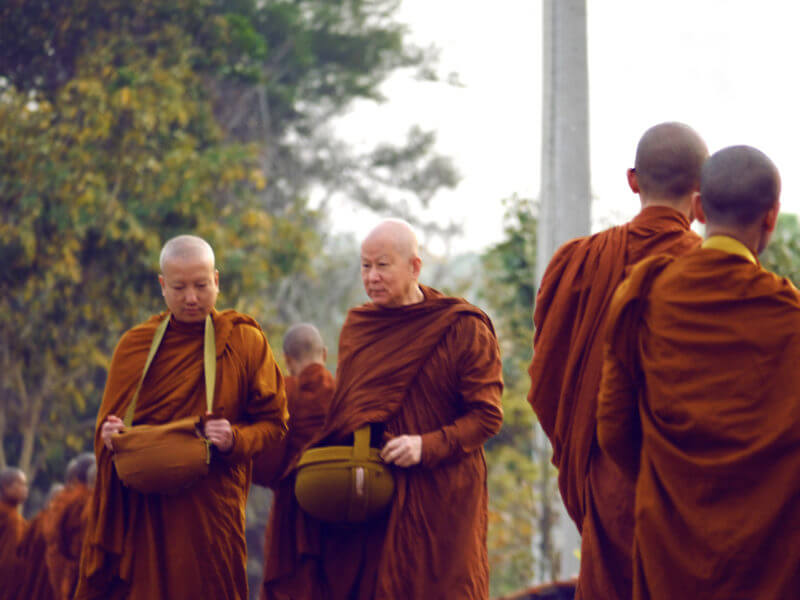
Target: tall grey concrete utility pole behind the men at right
x: 565, y: 196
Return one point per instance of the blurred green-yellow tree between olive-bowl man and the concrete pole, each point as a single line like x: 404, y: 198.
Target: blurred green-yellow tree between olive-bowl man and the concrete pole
x: 522, y: 488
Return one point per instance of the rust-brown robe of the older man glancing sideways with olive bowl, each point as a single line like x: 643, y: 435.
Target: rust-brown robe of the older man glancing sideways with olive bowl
x: 431, y: 369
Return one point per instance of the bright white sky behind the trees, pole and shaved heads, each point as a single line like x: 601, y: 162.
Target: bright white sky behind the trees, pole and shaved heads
x: 725, y: 67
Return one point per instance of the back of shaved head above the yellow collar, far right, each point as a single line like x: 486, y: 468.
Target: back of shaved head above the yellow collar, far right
x: 740, y: 184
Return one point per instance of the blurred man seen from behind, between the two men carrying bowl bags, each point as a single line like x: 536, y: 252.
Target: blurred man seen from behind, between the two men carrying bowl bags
x: 288, y: 573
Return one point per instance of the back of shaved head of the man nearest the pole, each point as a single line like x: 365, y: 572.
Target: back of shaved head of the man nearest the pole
x: 669, y: 158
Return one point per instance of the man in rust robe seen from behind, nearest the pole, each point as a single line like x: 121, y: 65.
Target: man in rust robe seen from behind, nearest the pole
x: 569, y: 318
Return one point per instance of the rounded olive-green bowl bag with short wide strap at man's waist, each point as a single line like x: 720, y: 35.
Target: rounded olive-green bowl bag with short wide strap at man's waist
x: 344, y: 484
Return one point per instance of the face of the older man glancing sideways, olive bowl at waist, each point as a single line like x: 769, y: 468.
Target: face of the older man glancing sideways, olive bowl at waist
x: 389, y: 277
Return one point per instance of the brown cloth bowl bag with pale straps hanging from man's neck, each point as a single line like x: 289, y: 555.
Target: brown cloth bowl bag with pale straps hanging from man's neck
x: 166, y: 458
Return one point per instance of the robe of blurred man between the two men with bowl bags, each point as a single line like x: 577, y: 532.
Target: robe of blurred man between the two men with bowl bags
x: 287, y: 572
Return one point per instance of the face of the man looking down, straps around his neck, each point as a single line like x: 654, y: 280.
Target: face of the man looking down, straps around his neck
x: 190, y: 287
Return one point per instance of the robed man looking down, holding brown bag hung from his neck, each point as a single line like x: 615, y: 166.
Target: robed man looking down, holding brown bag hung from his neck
x: 188, y: 544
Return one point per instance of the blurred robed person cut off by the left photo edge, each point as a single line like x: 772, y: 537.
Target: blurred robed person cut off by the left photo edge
x: 13, y: 493
